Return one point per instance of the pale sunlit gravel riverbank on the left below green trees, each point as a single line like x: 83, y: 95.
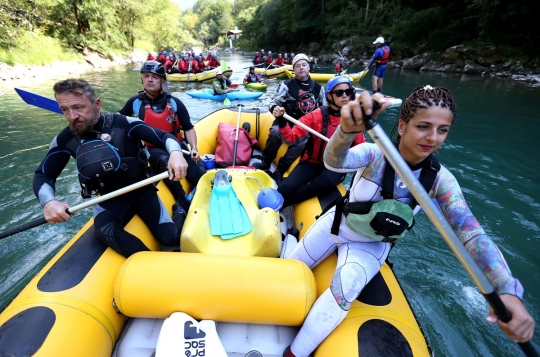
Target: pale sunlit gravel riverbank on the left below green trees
x: 91, y: 62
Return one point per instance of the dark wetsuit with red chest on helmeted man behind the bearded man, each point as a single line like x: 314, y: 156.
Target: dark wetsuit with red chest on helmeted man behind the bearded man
x: 159, y: 158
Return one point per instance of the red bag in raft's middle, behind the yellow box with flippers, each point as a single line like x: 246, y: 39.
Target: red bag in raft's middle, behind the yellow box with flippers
x: 225, y: 146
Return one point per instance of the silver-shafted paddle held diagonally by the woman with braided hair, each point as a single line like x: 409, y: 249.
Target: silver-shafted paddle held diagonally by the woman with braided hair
x: 439, y: 221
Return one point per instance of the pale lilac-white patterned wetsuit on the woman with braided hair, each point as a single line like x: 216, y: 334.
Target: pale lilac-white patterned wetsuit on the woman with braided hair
x: 360, y: 258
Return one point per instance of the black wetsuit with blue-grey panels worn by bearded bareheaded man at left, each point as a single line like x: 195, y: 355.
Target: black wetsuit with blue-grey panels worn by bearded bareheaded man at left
x: 111, y: 216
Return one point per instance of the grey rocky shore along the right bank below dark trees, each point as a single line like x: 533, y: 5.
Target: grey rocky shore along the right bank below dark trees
x: 486, y: 61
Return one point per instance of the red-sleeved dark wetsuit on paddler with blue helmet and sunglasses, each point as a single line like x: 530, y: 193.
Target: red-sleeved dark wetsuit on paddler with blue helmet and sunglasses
x: 310, y: 178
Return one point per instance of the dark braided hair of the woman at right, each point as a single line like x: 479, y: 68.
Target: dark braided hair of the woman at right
x: 424, y: 97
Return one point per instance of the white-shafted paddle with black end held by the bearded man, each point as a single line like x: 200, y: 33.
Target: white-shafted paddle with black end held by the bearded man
x: 72, y: 210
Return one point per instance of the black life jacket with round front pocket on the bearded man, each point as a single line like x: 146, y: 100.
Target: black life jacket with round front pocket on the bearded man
x: 104, y: 164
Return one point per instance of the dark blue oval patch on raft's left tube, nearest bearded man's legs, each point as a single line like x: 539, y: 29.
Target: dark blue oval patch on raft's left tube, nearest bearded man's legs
x: 74, y: 264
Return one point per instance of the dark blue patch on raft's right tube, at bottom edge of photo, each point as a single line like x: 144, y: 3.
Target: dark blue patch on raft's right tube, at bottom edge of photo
x: 378, y: 338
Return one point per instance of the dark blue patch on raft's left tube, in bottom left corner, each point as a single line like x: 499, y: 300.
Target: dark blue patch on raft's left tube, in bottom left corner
x: 25, y: 333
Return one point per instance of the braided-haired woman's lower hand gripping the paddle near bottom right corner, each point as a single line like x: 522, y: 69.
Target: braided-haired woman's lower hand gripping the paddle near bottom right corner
x: 521, y: 327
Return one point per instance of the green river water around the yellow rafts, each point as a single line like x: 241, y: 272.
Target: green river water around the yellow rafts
x: 491, y: 150
